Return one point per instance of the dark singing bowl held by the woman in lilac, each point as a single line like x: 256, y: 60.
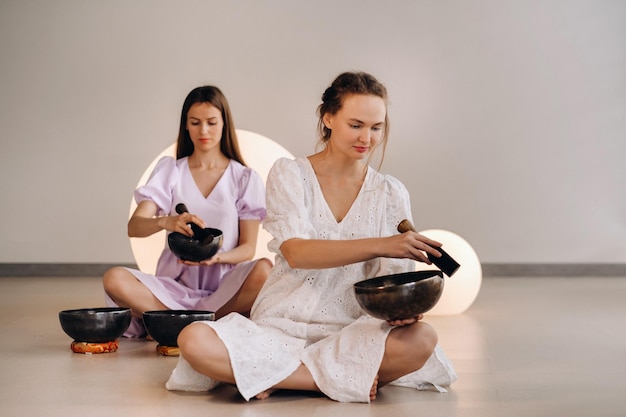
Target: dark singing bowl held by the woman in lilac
x: 203, y: 245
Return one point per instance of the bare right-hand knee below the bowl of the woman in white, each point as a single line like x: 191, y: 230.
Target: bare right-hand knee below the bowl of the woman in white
x: 406, y: 350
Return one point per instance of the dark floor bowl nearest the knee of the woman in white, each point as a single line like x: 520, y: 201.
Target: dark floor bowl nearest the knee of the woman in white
x: 165, y: 325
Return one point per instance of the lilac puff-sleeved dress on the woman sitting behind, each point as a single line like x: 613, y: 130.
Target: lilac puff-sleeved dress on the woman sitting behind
x: 238, y: 195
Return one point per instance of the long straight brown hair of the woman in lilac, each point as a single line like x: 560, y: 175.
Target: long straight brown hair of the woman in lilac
x: 229, y: 145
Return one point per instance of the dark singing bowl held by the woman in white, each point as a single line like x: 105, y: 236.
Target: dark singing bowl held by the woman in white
x: 400, y: 296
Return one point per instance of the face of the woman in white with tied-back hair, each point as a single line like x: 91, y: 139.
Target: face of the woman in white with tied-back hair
x: 356, y: 129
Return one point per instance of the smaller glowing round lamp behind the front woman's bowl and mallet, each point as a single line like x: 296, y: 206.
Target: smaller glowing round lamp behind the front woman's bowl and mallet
x: 460, y: 290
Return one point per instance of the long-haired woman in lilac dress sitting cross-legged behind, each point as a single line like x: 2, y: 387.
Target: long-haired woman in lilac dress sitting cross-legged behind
x: 211, y: 179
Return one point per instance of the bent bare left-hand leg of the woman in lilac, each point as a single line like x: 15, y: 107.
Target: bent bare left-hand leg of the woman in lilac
x: 127, y: 291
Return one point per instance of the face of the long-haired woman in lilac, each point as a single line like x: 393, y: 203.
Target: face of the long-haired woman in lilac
x: 205, y: 125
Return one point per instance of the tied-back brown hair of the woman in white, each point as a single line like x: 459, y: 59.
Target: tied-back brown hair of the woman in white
x: 346, y: 84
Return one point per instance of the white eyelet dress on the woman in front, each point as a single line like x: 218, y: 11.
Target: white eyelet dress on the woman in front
x: 311, y: 316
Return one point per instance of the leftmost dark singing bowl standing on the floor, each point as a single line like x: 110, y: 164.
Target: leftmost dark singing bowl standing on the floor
x: 95, y: 325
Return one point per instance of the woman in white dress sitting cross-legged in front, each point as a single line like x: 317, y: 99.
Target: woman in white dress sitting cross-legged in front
x: 333, y: 220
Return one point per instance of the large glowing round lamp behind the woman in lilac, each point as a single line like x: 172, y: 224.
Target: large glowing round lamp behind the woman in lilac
x: 258, y: 152
